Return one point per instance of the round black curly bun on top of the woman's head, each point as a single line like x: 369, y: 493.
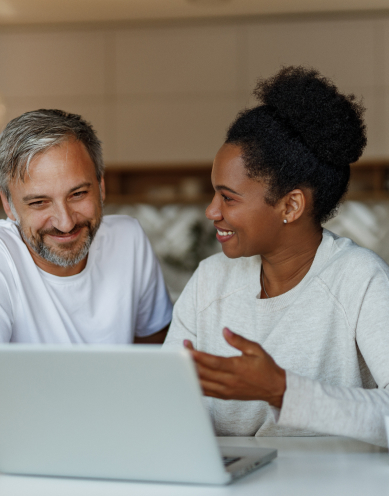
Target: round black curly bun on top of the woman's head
x: 310, y: 106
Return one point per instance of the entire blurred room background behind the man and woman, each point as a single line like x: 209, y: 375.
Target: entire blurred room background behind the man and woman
x: 161, y: 80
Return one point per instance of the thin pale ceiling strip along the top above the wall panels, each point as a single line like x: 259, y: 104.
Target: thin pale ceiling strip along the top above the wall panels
x: 53, y: 11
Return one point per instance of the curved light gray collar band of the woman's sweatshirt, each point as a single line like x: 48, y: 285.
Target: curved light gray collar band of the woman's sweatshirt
x: 284, y: 300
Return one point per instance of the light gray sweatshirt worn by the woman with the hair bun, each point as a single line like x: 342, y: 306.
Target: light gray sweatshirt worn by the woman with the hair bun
x: 330, y: 333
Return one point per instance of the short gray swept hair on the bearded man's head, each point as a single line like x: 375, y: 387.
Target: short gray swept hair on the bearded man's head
x: 37, y: 131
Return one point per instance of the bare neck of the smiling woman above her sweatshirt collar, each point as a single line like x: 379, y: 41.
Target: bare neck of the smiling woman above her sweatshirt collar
x: 283, y: 270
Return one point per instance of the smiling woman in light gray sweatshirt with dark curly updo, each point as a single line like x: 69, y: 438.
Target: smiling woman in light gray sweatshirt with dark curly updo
x: 310, y: 311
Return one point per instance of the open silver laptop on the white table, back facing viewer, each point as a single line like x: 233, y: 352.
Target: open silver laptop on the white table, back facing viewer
x: 118, y: 412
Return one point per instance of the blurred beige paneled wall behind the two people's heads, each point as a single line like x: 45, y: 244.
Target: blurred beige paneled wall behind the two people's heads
x: 167, y: 93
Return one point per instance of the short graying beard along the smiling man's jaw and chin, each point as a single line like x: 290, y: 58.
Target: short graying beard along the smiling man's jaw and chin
x: 47, y: 253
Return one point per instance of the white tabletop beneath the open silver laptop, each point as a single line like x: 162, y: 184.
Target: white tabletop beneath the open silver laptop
x: 327, y: 466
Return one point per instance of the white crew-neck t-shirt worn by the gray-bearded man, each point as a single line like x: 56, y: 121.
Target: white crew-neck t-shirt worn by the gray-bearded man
x: 119, y: 294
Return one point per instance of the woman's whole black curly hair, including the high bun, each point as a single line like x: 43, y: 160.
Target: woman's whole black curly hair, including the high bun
x: 304, y: 133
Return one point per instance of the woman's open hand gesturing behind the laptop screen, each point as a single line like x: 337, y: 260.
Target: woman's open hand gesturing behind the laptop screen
x: 254, y: 375
